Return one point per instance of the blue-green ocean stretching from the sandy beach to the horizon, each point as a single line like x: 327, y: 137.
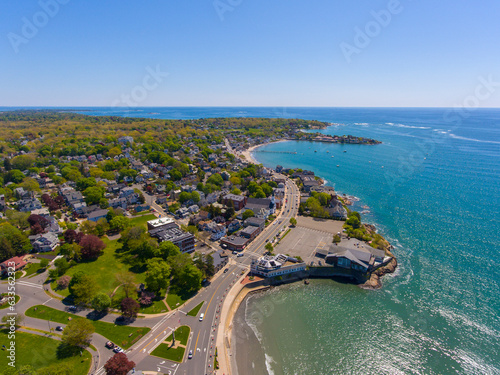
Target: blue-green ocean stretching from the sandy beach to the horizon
x: 432, y: 188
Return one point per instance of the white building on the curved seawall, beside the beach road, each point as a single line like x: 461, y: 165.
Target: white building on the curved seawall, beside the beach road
x: 278, y: 265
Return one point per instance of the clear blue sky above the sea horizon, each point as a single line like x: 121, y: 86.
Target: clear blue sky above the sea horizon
x: 248, y: 53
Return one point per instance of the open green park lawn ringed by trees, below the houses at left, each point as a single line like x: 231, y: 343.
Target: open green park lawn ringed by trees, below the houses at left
x: 103, y: 269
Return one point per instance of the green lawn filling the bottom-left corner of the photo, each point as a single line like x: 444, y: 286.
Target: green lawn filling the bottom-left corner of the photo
x: 39, y: 352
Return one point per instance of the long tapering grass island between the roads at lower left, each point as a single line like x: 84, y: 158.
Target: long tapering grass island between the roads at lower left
x: 123, y: 336
